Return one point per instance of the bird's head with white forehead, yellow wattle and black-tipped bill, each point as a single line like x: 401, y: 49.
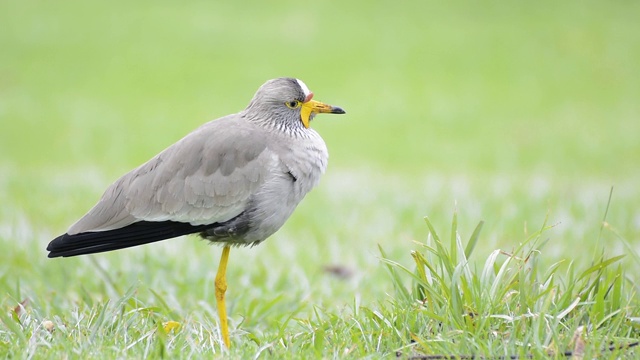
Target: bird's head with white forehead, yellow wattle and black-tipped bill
x: 288, y: 102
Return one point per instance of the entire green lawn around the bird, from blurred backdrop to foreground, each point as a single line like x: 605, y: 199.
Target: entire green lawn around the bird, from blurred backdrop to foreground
x: 523, y: 116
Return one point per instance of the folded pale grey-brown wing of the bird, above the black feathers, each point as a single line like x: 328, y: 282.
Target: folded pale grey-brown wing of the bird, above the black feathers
x: 207, y: 177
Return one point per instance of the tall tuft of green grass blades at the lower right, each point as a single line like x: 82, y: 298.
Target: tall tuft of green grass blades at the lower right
x: 515, y: 304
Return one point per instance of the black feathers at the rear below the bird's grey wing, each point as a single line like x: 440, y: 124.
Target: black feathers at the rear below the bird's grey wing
x: 139, y: 233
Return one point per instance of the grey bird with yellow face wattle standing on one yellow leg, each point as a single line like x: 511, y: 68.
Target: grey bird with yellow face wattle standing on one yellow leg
x: 233, y: 181
